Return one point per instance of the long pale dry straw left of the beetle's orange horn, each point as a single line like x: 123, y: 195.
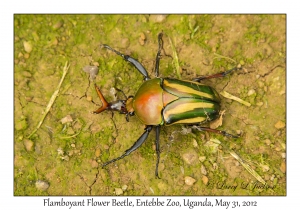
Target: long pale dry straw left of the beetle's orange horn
x: 52, y: 99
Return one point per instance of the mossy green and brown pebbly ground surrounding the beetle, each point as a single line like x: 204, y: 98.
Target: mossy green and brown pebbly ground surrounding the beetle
x: 69, y: 156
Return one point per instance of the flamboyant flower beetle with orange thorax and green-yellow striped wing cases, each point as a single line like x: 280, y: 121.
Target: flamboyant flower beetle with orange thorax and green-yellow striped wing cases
x: 166, y: 101
